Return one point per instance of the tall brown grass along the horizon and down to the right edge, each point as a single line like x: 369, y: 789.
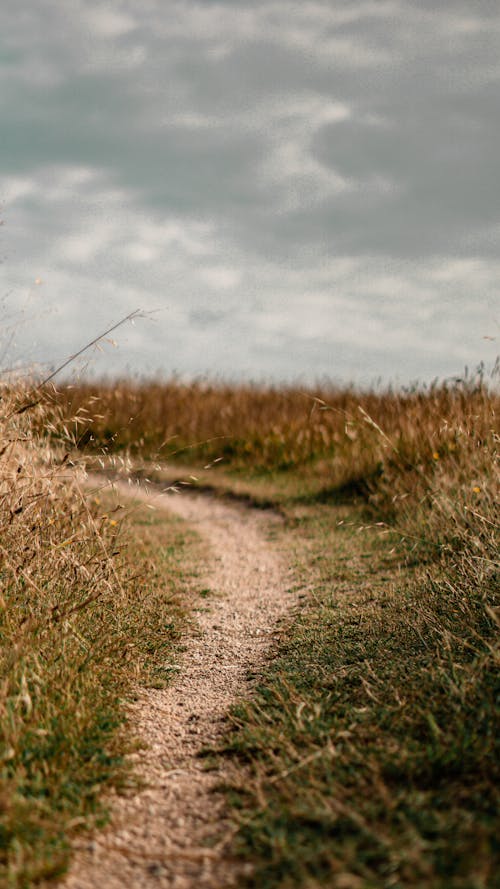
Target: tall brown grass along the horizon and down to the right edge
x: 425, y: 460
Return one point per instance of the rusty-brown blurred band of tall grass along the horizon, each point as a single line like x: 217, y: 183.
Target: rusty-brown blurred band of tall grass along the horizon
x: 339, y: 437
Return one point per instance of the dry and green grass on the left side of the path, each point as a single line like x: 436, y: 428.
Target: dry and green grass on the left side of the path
x: 93, y: 599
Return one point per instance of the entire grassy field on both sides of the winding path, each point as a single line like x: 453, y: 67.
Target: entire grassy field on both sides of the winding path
x: 368, y: 754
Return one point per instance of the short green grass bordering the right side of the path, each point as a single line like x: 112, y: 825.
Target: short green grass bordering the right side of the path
x: 369, y: 755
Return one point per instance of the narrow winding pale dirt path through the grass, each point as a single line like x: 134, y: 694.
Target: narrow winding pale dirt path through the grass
x: 174, y: 833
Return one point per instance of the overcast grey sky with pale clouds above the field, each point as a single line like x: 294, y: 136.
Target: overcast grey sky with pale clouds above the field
x: 287, y: 191
